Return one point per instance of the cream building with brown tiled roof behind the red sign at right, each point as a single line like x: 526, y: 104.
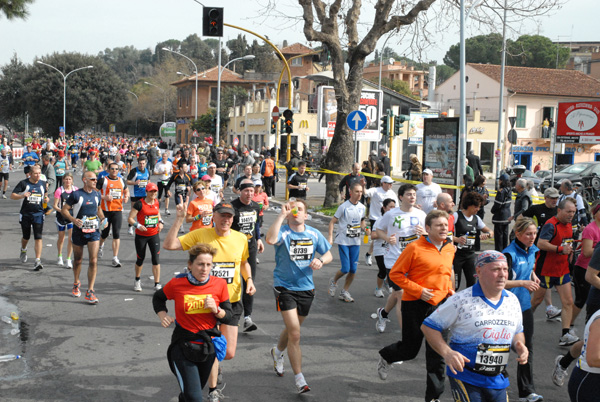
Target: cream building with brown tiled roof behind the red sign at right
x: 531, y: 95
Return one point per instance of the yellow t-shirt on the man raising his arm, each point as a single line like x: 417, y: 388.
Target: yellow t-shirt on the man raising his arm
x: 231, y: 251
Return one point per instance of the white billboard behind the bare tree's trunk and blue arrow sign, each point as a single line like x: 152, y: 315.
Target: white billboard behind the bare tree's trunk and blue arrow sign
x: 370, y: 103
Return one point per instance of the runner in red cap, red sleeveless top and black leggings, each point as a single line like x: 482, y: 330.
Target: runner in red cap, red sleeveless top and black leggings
x: 145, y: 216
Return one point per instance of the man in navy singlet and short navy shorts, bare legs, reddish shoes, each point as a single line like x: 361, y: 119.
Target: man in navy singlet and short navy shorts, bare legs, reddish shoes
x: 88, y: 221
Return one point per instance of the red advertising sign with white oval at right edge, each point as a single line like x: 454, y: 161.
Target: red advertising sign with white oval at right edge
x: 578, y: 122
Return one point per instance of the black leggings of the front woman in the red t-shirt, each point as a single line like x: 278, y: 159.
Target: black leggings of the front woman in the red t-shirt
x: 192, y: 377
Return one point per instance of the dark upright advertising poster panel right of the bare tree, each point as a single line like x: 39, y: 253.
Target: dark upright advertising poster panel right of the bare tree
x: 440, y: 148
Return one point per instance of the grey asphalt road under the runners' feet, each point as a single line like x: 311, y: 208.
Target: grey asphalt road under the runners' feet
x: 115, y: 351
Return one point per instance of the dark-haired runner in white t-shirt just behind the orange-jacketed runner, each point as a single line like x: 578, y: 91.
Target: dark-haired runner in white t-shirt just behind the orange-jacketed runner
x: 398, y: 227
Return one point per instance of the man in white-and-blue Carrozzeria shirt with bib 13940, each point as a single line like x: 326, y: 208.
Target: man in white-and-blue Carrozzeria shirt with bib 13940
x: 480, y: 337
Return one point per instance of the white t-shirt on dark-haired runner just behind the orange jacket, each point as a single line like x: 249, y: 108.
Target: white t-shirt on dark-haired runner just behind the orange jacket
x: 403, y: 225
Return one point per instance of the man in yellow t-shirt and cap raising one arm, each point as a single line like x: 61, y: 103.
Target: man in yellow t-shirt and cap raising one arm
x: 231, y: 263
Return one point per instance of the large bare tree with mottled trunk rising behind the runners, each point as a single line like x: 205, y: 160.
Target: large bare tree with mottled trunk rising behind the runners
x: 336, y: 24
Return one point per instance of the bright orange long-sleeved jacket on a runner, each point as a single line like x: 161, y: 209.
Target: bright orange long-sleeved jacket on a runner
x: 420, y: 266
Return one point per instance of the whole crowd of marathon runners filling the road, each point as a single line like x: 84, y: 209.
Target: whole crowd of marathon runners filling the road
x: 423, y: 246
